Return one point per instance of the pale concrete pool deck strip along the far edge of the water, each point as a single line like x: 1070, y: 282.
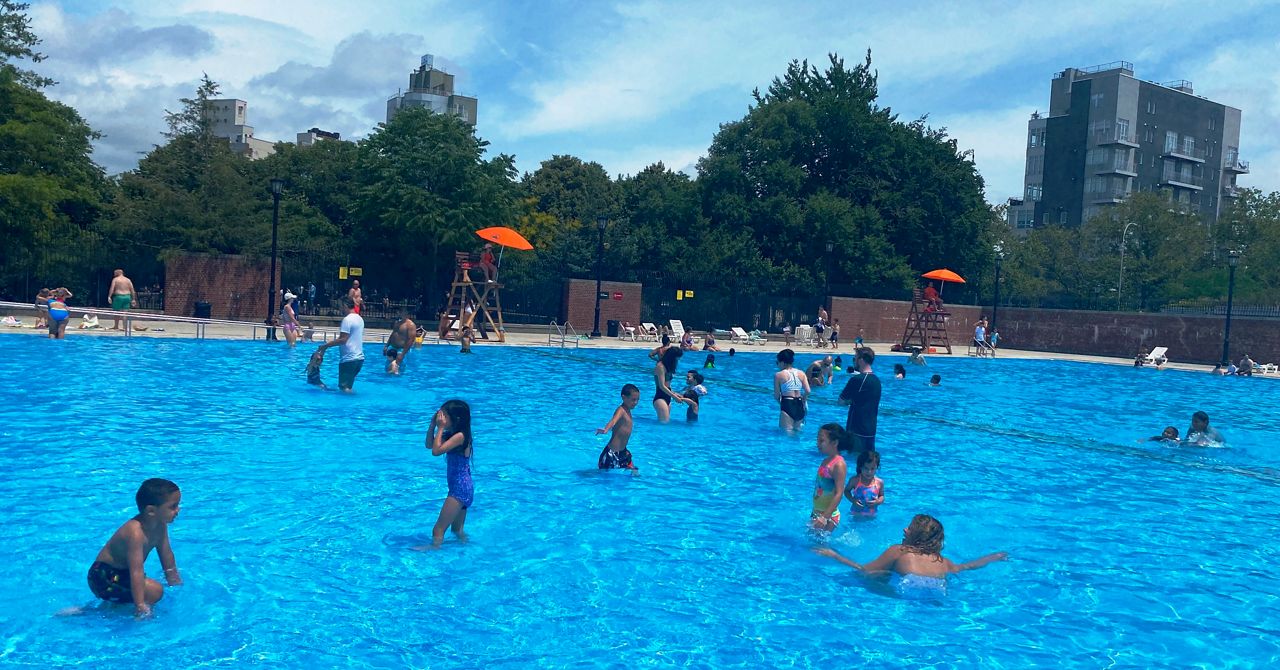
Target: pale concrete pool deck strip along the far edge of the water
x: 528, y: 339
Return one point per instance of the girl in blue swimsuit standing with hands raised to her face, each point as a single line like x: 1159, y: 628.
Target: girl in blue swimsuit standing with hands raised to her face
x: 450, y: 435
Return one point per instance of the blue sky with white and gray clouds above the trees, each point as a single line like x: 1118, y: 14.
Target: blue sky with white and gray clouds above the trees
x: 633, y: 84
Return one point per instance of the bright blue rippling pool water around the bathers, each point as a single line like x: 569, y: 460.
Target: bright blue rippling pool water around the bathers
x: 300, y: 507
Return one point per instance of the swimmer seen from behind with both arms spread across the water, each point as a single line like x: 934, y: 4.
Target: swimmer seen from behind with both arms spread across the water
x: 917, y: 567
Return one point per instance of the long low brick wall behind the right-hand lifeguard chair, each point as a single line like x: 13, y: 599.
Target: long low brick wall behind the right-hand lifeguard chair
x: 1104, y: 334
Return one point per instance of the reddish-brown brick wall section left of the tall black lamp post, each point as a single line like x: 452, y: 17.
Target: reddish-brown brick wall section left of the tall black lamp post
x: 235, y: 286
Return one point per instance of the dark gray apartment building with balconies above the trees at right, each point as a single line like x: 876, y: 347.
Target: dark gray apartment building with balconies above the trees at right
x: 1109, y: 135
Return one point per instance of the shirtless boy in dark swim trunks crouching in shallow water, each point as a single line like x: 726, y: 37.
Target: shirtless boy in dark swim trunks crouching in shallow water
x: 117, y: 575
